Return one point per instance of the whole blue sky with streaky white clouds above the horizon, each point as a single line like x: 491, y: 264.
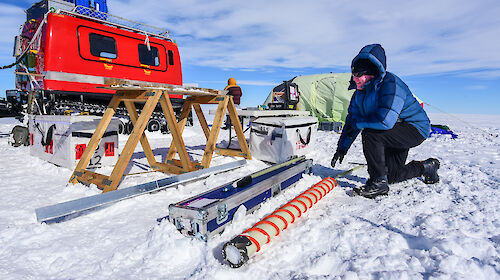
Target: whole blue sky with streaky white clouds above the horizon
x: 446, y: 51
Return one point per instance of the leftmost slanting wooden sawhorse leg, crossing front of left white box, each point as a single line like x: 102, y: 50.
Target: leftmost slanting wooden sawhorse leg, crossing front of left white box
x: 96, y: 137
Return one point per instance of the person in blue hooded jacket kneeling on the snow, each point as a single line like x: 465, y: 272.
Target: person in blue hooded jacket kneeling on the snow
x: 391, y: 120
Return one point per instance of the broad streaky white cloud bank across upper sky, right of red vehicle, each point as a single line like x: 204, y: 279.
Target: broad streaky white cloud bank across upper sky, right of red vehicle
x: 420, y: 37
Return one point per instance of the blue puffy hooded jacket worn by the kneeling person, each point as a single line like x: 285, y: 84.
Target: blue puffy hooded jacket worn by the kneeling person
x: 381, y: 103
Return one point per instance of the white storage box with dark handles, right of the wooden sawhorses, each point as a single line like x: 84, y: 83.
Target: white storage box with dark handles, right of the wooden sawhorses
x: 277, y: 139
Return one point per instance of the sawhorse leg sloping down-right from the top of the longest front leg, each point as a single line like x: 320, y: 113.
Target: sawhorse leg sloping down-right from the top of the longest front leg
x: 168, y: 111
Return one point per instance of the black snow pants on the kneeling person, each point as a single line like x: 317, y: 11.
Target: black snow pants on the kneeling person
x: 386, y: 152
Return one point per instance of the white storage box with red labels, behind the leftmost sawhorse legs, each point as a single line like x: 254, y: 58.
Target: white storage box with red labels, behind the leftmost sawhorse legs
x: 61, y: 140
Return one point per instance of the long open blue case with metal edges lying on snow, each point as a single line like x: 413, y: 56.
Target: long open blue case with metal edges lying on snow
x: 207, y: 214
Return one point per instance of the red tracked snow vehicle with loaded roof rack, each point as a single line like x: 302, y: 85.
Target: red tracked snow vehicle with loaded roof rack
x: 66, y: 52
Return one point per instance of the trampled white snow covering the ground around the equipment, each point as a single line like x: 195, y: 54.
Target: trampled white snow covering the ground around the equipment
x: 450, y: 230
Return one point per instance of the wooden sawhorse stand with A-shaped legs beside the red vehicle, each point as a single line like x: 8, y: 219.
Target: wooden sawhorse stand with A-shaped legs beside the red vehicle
x: 151, y: 97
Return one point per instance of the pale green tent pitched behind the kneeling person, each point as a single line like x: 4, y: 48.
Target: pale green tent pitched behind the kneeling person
x: 324, y: 95
